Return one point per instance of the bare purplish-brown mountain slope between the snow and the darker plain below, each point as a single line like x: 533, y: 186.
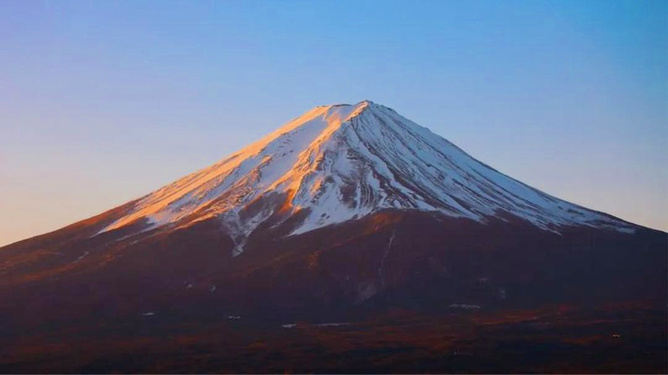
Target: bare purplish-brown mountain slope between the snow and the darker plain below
x: 390, y: 259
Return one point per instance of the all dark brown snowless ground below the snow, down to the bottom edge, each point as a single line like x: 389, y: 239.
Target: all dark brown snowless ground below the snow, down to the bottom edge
x: 414, y: 292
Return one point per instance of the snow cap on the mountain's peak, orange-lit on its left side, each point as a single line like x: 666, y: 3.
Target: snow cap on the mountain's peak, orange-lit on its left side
x: 342, y: 162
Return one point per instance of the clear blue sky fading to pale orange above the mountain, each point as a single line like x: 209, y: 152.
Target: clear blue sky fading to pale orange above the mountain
x: 104, y: 101
